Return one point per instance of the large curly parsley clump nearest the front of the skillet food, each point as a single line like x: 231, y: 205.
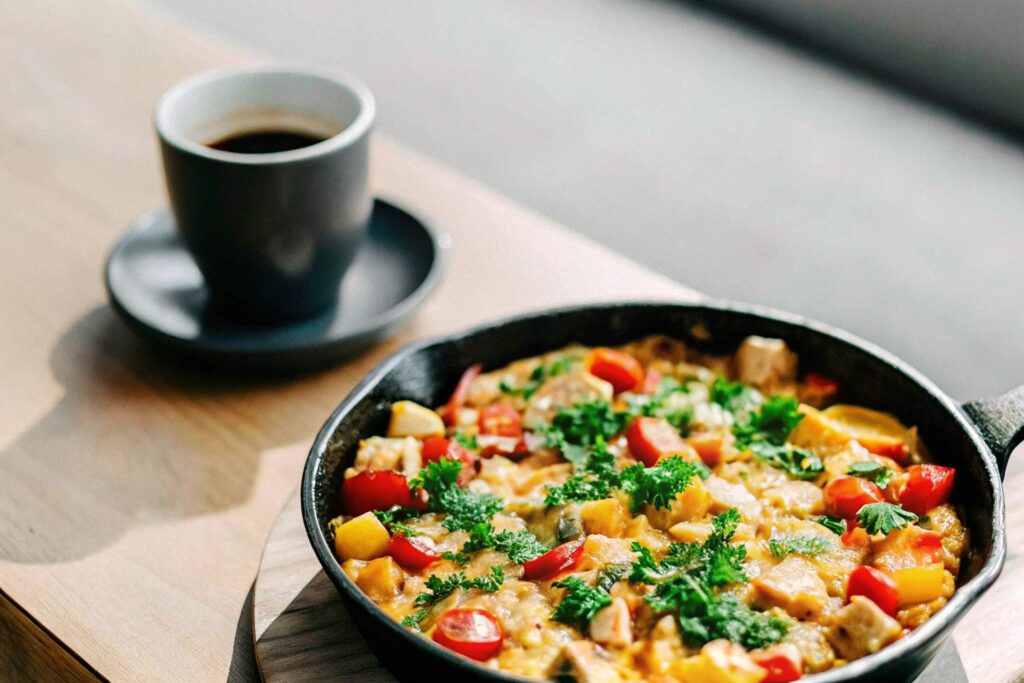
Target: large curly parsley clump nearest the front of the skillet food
x: 689, y: 582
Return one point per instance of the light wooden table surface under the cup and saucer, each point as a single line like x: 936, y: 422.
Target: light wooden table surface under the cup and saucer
x: 137, y: 492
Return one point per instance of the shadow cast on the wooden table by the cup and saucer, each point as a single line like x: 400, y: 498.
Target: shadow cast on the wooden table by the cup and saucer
x: 109, y: 456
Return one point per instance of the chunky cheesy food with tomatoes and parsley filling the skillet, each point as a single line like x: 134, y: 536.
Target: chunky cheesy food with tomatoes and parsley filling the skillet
x: 652, y: 514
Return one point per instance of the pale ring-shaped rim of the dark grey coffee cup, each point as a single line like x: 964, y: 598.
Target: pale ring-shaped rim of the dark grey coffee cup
x: 355, y: 132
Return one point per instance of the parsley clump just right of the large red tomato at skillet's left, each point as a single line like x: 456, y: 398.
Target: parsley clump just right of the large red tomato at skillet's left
x: 463, y: 508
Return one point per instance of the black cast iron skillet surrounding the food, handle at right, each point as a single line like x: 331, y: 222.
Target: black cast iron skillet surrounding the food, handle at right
x: 976, y: 439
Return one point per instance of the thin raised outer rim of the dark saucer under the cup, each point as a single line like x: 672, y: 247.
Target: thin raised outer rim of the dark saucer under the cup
x: 257, y: 347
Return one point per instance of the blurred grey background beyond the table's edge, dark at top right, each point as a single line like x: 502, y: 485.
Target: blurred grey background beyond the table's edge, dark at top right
x: 707, y: 149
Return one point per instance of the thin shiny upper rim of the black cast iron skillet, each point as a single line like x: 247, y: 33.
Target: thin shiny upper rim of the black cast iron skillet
x: 945, y: 620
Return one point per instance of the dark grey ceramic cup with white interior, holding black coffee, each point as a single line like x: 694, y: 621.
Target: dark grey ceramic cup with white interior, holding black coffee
x: 272, y: 233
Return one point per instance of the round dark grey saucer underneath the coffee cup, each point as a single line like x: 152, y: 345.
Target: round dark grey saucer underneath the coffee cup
x: 154, y: 284
